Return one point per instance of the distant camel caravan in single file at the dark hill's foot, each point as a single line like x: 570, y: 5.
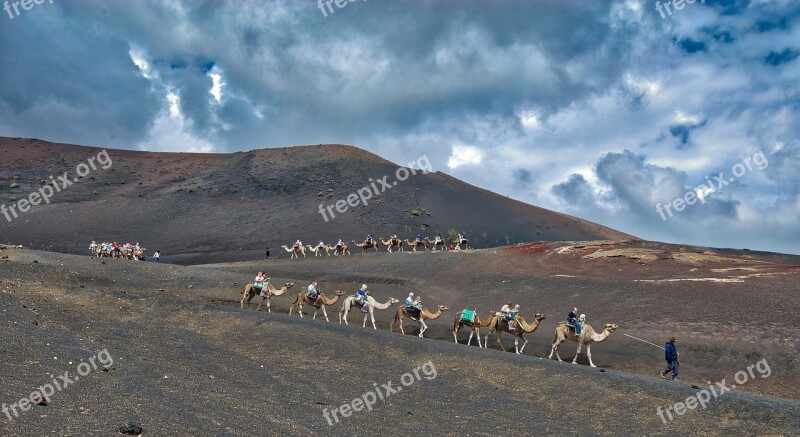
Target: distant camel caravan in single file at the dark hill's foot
x: 391, y: 244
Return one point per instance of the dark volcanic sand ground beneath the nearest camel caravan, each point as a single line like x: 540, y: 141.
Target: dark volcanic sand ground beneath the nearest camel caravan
x: 188, y: 361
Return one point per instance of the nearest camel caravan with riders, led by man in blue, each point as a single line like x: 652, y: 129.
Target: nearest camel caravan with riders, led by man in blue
x: 507, y: 320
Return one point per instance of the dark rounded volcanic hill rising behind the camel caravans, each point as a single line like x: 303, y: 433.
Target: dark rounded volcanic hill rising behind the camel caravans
x: 218, y: 207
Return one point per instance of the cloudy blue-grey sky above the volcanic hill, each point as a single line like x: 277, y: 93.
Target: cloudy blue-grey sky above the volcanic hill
x: 675, y: 125
